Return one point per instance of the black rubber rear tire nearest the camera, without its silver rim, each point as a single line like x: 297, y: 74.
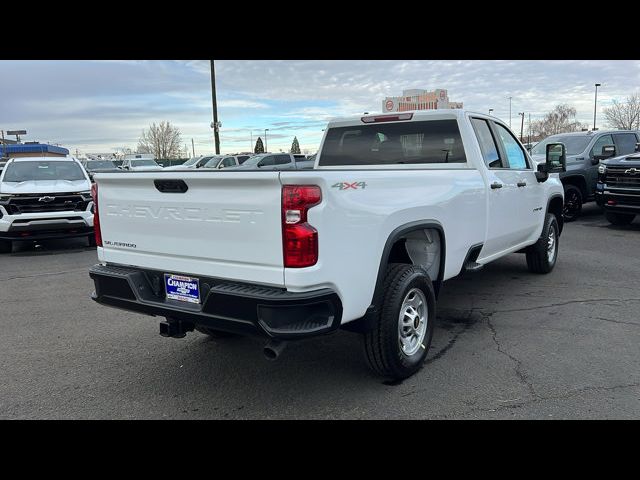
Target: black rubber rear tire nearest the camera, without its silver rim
x: 383, y: 351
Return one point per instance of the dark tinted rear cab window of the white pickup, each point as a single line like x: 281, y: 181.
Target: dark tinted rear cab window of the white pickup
x: 435, y: 141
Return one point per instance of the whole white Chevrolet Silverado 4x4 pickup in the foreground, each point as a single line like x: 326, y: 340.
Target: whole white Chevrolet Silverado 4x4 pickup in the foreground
x: 395, y: 205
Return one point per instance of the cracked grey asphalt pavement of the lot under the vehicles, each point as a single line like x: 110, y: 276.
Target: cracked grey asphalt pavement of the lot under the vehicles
x: 508, y: 344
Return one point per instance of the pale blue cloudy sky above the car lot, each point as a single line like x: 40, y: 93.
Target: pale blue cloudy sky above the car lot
x: 100, y: 106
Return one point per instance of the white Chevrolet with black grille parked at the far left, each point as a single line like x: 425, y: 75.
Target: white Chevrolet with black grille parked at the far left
x: 44, y: 198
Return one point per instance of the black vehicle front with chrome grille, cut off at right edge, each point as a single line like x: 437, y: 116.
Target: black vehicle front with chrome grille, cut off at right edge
x: 618, y: 188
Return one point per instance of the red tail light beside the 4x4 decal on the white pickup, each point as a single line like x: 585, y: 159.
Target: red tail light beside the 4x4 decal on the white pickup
x: 299, y: 239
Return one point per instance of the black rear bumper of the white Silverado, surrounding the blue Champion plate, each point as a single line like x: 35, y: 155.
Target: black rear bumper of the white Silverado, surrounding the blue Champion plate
x: 232, y: 307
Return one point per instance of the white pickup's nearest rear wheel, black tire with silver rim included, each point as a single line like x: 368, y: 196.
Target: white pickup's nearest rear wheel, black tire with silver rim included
x: 397, y: 345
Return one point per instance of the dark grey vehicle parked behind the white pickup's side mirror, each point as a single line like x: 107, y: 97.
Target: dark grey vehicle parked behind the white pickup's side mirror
x: 584, y: 152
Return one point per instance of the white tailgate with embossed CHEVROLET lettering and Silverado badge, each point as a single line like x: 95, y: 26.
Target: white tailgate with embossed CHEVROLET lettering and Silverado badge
x: 226, y: 224
